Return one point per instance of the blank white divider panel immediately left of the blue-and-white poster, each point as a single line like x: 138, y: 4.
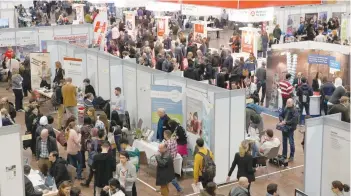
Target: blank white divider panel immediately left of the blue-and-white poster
x: 144, y: 97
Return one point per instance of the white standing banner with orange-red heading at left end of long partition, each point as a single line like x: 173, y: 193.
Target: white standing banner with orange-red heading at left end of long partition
x: 73, y: 69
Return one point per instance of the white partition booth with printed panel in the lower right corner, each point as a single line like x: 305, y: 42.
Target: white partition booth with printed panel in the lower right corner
x: 327, y: 154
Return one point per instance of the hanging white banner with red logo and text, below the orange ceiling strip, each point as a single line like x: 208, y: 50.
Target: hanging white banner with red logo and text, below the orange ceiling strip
x: 251, y: 15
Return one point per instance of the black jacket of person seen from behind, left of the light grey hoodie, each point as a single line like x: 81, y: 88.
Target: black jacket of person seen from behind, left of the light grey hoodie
x: 104, y: 165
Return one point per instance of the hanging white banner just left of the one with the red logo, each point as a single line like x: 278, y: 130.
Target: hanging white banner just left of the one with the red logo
x: 196, y: 10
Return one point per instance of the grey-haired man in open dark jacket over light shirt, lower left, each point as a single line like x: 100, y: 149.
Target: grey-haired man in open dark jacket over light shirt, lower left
x: 45, y: 145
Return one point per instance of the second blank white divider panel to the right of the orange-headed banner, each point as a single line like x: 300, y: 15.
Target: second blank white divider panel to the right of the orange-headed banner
x: 103, y: 77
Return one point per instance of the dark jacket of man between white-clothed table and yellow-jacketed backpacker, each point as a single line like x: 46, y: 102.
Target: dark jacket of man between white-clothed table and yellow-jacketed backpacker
x: 165, y: 169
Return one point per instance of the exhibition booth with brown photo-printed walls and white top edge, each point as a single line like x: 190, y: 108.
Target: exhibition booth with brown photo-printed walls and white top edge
x: 309, y: 58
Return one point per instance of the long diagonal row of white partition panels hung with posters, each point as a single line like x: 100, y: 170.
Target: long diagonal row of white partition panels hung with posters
x: 219, y: 112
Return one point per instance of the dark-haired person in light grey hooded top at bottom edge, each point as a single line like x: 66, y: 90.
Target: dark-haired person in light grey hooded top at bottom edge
x: 126, y: 173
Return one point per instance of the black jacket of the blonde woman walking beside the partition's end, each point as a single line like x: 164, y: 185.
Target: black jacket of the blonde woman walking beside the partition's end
x: 245, y: 167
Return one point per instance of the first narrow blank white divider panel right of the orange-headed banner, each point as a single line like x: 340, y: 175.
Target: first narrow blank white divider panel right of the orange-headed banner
x: 92, y: 68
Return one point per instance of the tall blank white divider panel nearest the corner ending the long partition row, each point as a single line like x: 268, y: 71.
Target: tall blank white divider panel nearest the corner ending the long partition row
x: 221, y: 136
